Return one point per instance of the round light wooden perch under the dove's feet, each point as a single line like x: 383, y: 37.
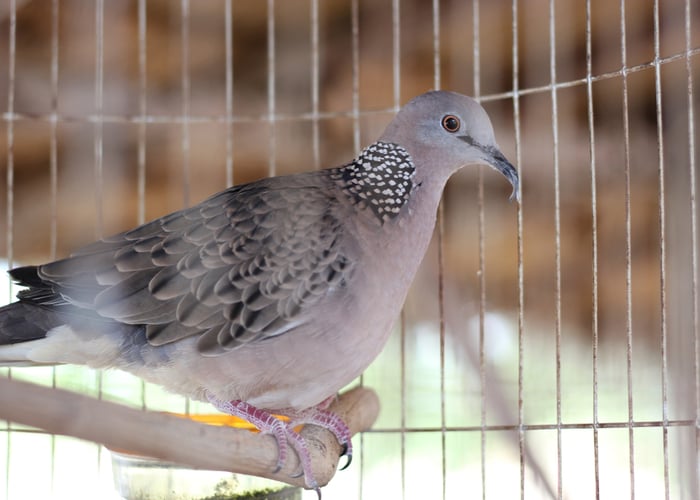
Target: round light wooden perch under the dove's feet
x: 179, y: 440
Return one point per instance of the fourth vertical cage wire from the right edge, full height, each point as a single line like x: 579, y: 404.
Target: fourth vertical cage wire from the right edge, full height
x: 594, y: 238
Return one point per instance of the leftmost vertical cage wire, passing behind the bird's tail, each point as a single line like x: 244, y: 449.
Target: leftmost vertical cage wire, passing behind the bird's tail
x: 10, y: 179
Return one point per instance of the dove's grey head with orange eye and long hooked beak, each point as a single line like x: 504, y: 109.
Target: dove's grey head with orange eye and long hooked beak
x: 447, y: 131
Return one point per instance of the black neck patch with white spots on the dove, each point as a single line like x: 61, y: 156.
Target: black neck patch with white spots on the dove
x: 380, y: 179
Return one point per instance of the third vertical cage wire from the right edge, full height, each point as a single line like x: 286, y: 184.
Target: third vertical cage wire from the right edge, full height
x: 628, y: 242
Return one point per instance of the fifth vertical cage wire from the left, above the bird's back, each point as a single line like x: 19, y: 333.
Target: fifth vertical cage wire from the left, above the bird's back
x: 185, y: 84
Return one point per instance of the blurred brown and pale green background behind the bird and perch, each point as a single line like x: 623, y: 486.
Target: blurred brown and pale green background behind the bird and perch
x: 547, y: 350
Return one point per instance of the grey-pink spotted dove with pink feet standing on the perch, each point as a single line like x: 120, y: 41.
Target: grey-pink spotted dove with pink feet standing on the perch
x: 268, y: 297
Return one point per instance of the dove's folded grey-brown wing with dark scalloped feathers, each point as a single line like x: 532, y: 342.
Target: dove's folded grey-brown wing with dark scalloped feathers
x: 246, y: 264
